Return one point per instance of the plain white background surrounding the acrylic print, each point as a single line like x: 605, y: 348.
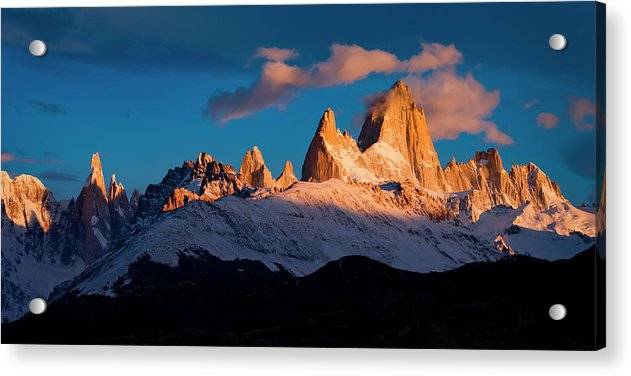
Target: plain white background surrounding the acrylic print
x: 185, y: 361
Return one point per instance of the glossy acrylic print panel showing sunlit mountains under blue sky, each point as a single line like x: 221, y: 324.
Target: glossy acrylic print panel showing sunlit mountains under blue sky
x: 422, y: 176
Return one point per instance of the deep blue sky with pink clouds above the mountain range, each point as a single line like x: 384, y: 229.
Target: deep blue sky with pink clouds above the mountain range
x: 149, y: 88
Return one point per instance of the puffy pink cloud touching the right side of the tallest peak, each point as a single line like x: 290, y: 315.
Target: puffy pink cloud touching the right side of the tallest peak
x: 457, y: 104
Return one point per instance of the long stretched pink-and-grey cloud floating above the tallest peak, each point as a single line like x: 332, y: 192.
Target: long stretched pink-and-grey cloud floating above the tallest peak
x: 279, y: 82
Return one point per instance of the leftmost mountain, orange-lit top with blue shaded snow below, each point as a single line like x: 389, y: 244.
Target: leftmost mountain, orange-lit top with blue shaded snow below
x: 36, y: 256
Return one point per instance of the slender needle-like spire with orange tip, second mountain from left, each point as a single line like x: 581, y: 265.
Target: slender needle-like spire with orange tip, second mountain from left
x: 94, y: 212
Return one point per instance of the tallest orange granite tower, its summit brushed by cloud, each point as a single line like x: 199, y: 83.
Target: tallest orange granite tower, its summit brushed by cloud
x: 394, y: 119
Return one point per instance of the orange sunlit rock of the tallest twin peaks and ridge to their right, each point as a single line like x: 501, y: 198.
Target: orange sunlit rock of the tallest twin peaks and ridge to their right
x: 395, y: 145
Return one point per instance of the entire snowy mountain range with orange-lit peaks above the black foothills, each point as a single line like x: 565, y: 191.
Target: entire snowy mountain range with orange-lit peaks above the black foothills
x: 384, y: 196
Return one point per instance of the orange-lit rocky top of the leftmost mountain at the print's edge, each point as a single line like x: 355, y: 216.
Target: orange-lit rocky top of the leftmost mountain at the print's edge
x: 26, y: 201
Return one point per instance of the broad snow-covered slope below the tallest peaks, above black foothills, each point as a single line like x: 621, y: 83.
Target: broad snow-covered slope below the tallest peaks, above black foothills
x: 310, y: 224
